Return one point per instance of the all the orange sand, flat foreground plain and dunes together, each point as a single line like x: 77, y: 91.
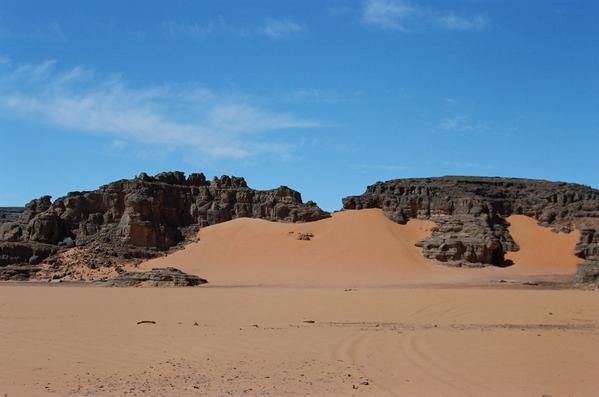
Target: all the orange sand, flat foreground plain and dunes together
x: 354, y: 311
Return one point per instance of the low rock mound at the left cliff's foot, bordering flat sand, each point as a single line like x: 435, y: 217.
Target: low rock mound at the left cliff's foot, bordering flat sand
x: 157, y: 277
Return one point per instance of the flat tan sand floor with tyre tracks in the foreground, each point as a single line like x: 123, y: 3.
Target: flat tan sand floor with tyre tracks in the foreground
x: 275, y: 341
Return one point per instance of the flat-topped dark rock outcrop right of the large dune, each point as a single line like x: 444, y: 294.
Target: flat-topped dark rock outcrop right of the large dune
x: 470, y: 212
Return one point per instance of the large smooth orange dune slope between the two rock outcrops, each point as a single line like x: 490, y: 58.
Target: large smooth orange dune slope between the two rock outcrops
x: 351, y: 247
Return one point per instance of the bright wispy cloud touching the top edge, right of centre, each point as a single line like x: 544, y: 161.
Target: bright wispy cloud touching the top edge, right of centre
x: 403, y: 15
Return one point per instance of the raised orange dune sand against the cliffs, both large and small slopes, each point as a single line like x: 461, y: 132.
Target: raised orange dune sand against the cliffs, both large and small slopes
x: 352, y: 248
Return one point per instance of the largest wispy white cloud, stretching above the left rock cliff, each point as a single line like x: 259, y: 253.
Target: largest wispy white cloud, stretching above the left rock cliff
x: 190, y: 117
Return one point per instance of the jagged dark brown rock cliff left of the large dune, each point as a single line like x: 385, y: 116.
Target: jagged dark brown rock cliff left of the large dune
x: 136, y: 218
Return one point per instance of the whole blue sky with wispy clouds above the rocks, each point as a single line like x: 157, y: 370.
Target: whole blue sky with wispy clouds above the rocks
x: 324, y: 96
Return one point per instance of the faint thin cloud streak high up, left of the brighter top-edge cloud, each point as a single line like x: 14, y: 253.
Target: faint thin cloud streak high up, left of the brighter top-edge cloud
x: 270, y: 27
